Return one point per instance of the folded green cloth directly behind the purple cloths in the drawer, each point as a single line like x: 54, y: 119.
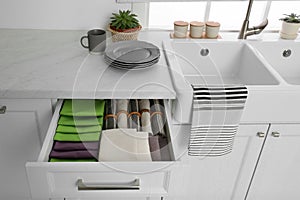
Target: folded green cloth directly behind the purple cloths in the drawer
x: 74, y: 137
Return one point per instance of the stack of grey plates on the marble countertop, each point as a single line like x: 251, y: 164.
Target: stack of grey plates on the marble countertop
x: 131, y: 54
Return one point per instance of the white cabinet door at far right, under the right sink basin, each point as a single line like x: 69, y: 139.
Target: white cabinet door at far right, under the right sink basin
x: 277, y: 175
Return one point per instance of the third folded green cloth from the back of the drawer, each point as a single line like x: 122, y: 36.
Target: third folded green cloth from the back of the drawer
x: 78, y: 129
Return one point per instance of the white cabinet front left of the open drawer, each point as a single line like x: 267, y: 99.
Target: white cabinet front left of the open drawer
x: 23, y: 125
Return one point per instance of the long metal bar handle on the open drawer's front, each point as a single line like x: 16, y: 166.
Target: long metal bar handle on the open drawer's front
x: 133, y: 185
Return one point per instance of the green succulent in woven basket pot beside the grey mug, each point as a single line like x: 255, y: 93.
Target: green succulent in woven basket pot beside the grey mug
x: 124, y: 26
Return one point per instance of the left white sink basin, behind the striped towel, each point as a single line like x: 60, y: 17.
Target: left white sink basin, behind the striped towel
x: 225, y: 63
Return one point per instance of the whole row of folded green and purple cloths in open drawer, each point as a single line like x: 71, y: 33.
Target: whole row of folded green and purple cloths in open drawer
x: 78, y: 131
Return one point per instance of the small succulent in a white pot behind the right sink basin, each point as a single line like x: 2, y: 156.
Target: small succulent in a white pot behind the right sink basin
x: 290, y: 26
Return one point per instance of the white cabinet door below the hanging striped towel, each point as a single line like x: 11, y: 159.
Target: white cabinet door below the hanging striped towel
x: 226, y: 177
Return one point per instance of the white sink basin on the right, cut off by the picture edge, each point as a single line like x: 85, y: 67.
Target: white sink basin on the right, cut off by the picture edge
x: 287, y: 67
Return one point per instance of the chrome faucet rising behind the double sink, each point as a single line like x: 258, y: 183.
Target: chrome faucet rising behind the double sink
x: 245, y: 30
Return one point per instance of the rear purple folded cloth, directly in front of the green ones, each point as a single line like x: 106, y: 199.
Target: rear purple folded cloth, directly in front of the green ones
x: 72, y: 146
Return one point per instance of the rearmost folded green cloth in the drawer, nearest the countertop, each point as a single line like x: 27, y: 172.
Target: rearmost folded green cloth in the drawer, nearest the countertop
x: 83, y: 107
